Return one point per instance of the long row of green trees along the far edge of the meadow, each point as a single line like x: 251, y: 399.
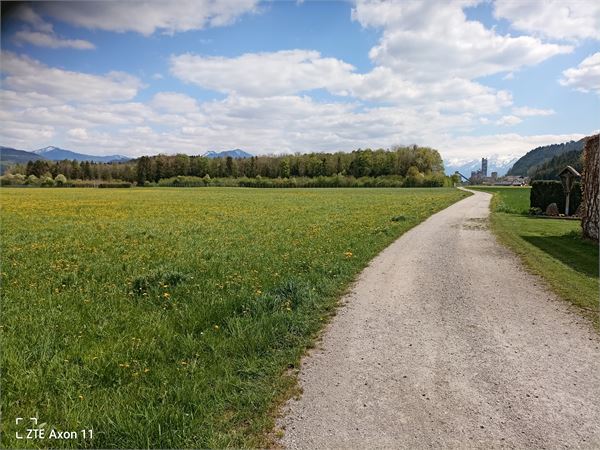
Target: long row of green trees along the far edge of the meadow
x: 418, y: 165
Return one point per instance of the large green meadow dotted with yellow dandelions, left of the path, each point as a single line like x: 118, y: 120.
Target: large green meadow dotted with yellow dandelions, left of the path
x: 169, y: 318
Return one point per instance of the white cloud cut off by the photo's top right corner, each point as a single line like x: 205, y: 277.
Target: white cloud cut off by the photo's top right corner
x: 557, y: 19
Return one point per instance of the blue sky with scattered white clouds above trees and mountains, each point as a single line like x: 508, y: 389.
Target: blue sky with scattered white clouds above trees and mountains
x: 469, y: 78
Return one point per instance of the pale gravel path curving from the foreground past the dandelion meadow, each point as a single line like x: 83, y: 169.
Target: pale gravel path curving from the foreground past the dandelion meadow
x: 445, y: 341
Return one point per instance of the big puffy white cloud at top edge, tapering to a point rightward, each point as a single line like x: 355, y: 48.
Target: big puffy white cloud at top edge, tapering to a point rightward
x: 431, y: 40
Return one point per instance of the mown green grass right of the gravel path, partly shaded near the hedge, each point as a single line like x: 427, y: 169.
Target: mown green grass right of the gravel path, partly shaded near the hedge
x: 553, y: 249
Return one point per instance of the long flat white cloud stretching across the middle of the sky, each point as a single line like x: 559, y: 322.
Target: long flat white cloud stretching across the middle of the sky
x: 294, y: 71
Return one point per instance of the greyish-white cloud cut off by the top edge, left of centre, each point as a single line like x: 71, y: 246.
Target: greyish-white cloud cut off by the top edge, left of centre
x: 146, y: 17
